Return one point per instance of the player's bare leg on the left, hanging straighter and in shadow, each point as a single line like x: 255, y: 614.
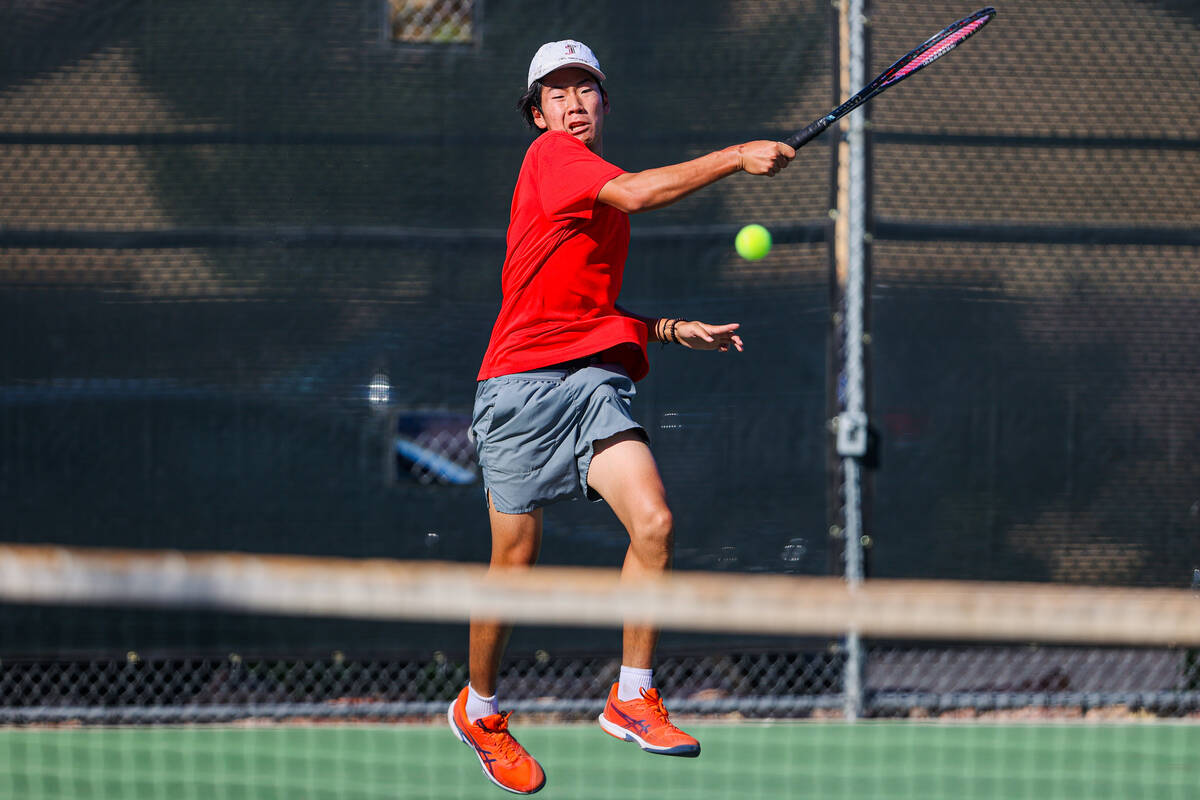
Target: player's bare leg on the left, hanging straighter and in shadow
x: 517, y: 542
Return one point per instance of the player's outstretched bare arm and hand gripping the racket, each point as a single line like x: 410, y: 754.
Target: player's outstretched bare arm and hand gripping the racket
x: 655, y: 189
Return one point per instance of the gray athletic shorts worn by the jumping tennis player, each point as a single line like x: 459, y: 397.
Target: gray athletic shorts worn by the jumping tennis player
x: 535, y: 432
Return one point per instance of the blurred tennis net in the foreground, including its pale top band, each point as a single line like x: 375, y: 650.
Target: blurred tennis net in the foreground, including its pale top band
x: 131, y: 673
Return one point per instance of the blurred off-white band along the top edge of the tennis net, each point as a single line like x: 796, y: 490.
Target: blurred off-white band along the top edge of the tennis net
x: 589, y: 597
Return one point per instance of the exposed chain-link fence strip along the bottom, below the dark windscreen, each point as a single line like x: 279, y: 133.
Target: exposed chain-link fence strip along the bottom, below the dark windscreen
x: 805, y: 682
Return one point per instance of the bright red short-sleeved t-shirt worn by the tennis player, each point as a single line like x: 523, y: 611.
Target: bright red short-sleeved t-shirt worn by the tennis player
x: 563, y: 268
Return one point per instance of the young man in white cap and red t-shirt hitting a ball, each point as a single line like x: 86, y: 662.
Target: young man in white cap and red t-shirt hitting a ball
x: 553, y: 411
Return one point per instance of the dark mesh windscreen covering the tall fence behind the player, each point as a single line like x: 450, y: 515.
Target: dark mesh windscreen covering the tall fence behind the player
x: 220, y: 220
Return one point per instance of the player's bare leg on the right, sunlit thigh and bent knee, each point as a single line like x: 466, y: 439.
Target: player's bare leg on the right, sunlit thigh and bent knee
x: 625, y: 473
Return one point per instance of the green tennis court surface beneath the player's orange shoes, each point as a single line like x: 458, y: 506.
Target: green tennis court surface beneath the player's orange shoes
x: 959, y: 761
